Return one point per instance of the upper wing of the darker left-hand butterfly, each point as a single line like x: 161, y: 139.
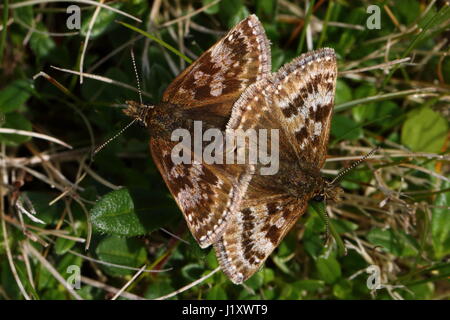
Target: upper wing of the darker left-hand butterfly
x: 218, y: 77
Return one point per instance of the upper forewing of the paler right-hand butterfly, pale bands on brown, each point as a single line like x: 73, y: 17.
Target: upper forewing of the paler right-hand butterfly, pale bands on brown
x: 304, y: 94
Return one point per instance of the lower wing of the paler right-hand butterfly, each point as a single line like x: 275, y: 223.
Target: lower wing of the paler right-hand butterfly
x: 255, y: 231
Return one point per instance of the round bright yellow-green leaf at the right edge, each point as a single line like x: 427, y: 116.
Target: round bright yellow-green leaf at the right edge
x: 424, y: 131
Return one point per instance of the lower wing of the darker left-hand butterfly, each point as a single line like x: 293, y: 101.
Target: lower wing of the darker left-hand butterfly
x: 204, y: 193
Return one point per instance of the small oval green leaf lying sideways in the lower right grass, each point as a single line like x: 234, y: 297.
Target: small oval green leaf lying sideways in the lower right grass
x: 395, y: 242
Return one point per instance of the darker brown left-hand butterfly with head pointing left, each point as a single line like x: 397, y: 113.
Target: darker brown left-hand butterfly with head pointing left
x: 206, y: 91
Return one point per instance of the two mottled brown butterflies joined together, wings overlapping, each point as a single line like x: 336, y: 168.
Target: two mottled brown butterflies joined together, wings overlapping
x: 245, y: 215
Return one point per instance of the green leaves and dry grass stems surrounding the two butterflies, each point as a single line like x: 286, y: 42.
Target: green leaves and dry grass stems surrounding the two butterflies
x: 61, y: 210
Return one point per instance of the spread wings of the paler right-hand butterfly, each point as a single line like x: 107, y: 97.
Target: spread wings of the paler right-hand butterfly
x: 297, y: 101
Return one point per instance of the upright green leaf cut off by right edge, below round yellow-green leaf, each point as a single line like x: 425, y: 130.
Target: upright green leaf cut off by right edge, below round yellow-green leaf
x: 440, y: 224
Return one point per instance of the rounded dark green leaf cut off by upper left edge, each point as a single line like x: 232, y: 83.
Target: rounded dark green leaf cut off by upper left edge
x: 14, y: 96
